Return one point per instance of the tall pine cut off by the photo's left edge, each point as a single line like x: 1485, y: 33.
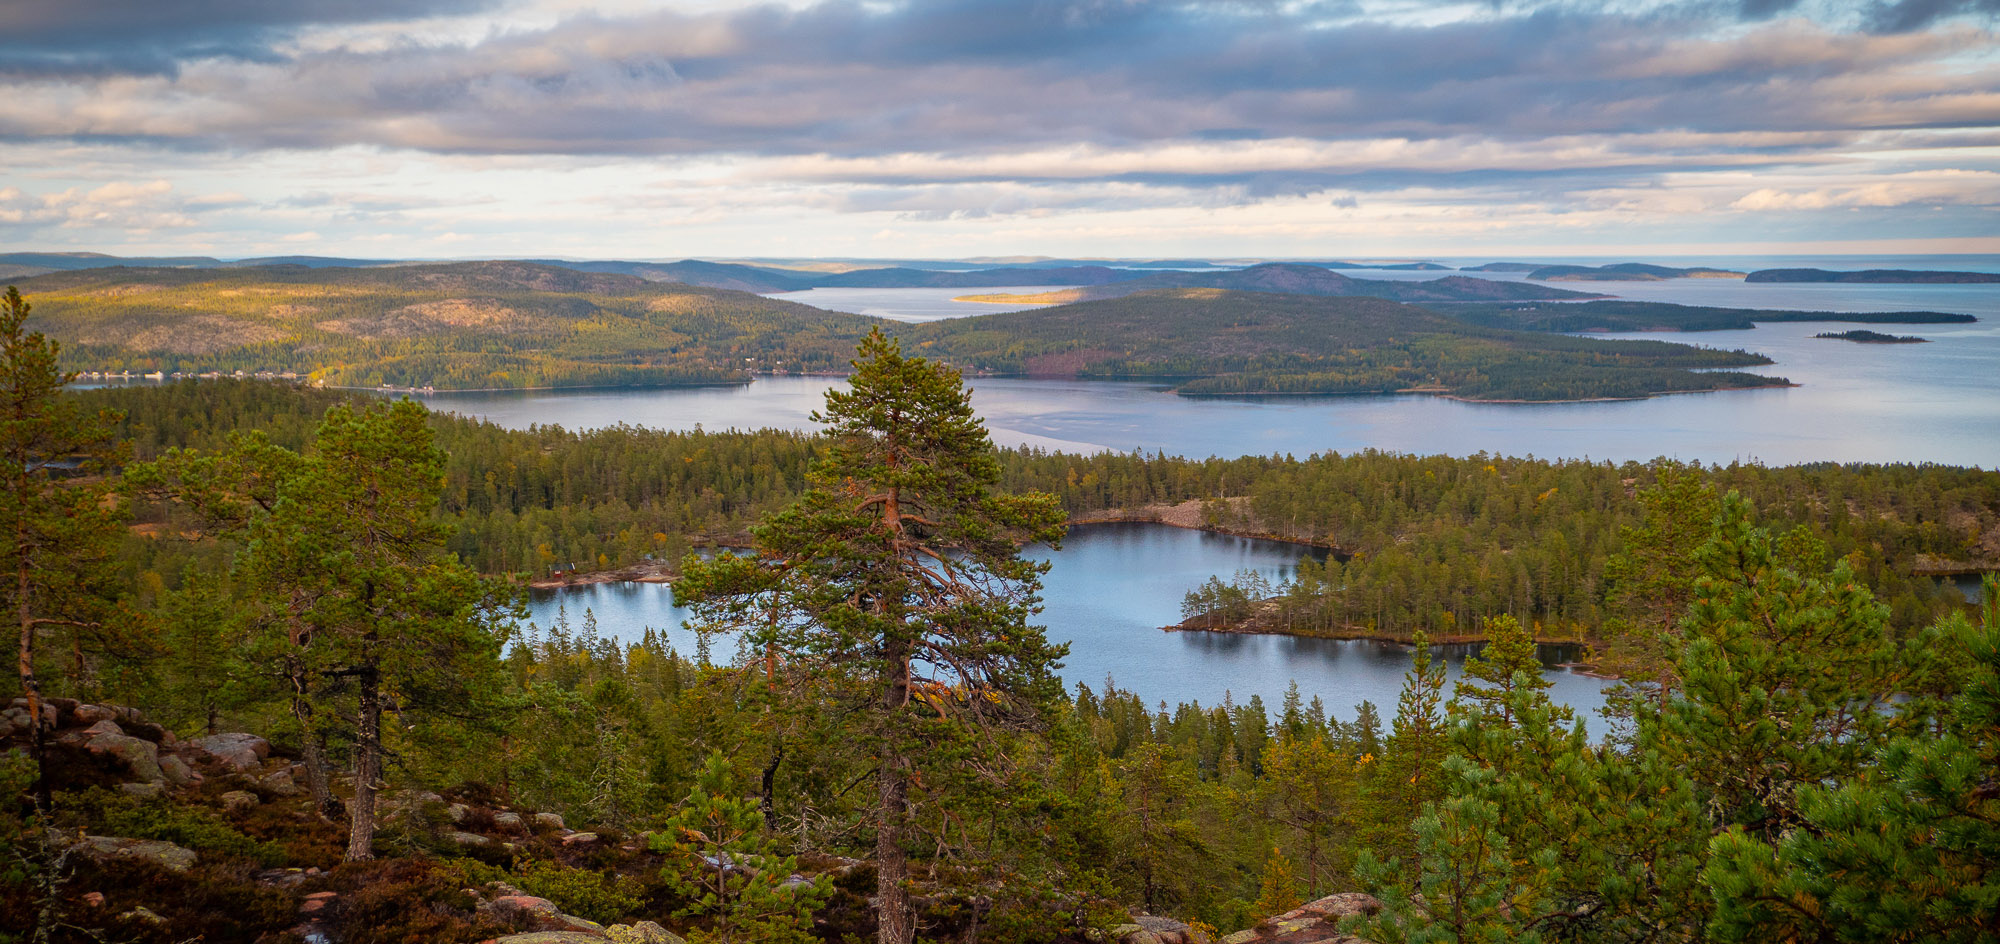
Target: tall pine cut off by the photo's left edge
x: 59, y: 523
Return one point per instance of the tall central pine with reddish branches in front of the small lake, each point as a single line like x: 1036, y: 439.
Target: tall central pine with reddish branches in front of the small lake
x: 899, y: 571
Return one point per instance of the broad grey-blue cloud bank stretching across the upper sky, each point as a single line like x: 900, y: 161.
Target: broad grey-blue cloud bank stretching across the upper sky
x: 967, y: 77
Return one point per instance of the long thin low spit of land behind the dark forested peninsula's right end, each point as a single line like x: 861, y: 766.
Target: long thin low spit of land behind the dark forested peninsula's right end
x: 1665, y: 317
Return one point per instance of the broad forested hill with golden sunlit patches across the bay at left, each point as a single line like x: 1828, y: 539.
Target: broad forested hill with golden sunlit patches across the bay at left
x: 467, y: 325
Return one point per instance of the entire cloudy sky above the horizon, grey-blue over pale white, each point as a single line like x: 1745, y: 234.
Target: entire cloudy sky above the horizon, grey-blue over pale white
x: 621, y: 129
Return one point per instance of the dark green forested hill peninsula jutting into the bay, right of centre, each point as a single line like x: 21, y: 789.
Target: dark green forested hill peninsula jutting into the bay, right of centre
x: 1243, y: 343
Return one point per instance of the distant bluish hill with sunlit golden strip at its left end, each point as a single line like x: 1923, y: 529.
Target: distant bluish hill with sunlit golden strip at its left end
x: 1309, y: 281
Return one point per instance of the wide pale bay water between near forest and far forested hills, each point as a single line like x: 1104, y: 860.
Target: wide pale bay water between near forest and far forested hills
x: 1857, y: 403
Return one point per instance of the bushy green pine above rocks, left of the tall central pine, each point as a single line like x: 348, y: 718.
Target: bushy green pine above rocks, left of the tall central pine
x: 355, y: 557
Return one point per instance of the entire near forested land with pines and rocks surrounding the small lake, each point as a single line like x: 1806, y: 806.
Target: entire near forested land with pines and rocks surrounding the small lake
x: 271, y: 691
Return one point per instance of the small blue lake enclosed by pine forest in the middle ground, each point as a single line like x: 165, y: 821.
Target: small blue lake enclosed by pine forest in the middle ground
x: 1107, y: 595
